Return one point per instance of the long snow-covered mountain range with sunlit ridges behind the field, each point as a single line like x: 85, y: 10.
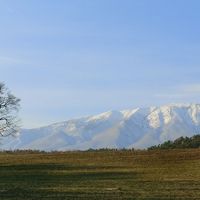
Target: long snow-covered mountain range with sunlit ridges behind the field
x: 133, y: 128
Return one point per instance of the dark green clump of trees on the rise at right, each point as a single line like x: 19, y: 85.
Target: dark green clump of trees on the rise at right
x: 182, y: 142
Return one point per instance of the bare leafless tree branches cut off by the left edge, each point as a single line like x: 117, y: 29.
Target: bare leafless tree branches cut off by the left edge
x: 9, y: 105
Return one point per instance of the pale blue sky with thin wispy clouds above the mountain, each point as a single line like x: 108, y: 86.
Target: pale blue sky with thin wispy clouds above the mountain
x: 71, y: 58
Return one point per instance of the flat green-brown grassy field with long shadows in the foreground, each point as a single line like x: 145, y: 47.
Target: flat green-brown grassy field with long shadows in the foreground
x: 172, y: 174
